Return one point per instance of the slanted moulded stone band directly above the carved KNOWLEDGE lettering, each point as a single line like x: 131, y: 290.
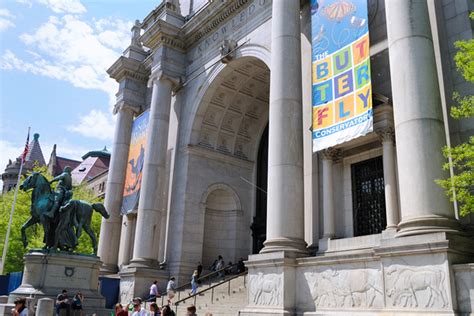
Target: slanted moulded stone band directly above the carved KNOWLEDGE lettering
x: 210, y: 18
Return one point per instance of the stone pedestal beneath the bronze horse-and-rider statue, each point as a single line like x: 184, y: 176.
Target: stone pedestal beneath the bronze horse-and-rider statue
x: 47, y: 274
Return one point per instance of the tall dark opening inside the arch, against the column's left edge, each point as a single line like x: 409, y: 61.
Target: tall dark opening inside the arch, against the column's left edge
x: 259, y: 225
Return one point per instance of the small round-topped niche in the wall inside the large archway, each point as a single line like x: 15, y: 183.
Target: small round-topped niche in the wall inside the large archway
x: 222, y: 209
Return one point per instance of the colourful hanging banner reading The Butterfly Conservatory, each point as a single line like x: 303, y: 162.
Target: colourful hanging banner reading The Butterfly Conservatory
x: 342, y: 94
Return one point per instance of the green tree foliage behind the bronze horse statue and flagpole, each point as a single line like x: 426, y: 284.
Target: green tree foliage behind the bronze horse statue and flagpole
x: 14, y: 260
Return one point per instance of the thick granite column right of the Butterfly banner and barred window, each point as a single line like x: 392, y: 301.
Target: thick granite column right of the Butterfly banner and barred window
x: 418, y: 120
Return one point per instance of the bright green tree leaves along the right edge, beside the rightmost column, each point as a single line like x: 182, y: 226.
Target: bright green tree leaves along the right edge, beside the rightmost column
x: 462, y: 156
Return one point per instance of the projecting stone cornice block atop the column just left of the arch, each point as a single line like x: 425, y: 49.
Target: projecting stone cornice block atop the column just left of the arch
x: 162, y: 33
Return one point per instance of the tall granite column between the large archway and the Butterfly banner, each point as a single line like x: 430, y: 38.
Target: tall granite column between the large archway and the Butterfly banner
x: 285, y: 218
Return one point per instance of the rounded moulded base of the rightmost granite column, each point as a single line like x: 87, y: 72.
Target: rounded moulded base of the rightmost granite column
x: 428, y: 224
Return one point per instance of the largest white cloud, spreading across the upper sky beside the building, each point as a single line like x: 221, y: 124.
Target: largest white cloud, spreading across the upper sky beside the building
x: 71, y: 49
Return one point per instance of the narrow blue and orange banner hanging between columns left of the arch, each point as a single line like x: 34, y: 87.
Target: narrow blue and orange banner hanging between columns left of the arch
x: 136, y: 157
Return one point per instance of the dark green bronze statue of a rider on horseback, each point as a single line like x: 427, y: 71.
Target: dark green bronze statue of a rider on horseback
x: 62, y: 218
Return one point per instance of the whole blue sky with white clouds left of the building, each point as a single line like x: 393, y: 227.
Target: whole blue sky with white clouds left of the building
x: 53, y: 60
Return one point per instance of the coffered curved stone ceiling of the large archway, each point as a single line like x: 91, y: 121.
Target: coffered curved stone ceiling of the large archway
x: 237, y: 111
